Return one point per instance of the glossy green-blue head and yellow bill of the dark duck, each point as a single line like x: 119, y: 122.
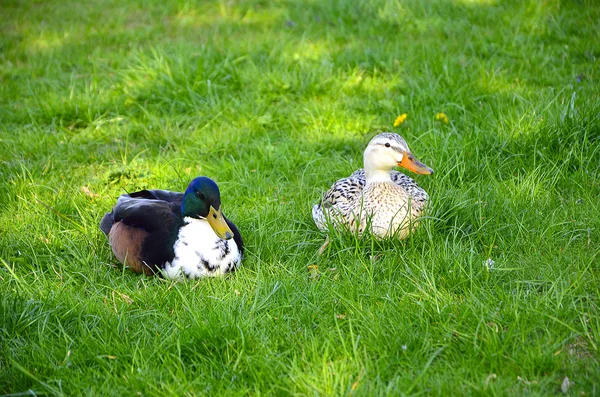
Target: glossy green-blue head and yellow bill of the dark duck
x: 202, y: 200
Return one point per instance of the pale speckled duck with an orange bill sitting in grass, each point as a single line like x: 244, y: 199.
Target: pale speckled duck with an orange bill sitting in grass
x: 376, y: 198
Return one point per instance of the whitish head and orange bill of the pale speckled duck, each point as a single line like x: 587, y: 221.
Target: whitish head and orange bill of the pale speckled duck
x: 388, y: 150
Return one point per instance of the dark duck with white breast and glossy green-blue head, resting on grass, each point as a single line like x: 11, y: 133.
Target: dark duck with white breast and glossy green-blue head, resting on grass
x: 174, y: 234
